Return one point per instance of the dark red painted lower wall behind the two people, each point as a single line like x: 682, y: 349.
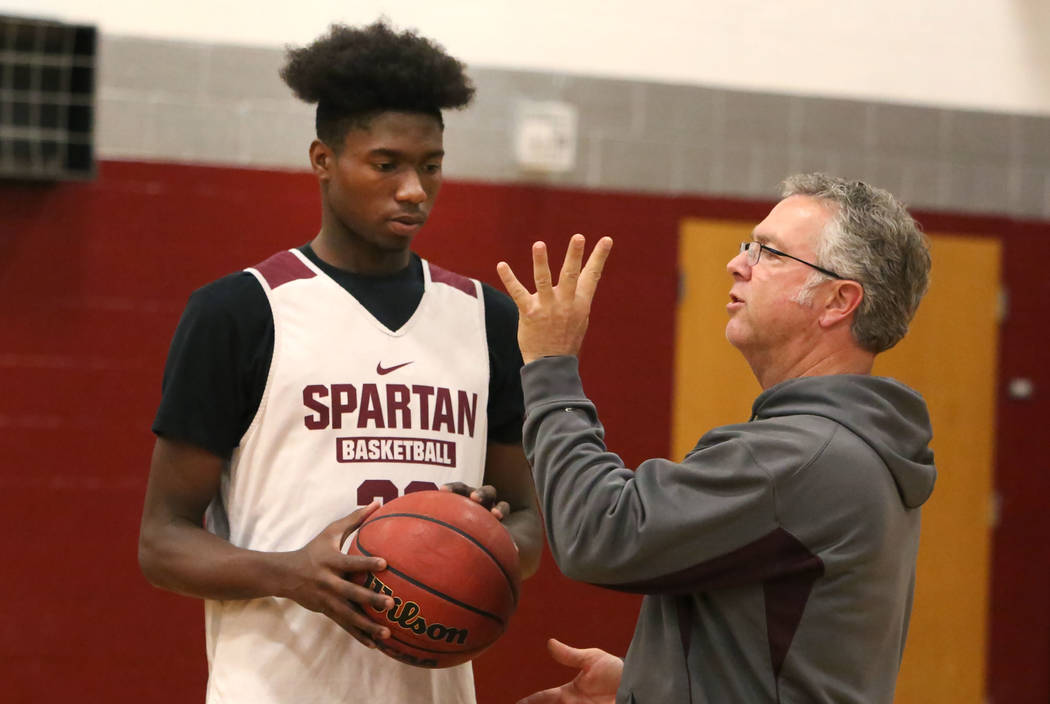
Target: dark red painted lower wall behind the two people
x: 93, y: 279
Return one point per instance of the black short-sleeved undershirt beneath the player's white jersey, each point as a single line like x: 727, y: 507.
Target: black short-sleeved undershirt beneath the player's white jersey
x: 220, y: 356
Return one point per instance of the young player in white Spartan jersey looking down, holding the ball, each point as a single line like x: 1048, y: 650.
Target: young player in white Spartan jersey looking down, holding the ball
x: 302, y: 391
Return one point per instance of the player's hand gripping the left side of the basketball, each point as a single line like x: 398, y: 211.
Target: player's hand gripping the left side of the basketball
x: 317, y: 578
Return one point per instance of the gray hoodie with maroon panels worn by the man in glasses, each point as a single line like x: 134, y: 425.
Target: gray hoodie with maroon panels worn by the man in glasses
x: 778, y: 560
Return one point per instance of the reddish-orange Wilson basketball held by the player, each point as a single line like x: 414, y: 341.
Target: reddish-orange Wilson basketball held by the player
x: 452, y: 570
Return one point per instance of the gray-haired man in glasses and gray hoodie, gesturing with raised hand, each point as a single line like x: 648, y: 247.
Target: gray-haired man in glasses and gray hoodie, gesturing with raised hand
x: 779, y: 558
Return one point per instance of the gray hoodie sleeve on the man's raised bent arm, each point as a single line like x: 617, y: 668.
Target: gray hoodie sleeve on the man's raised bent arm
x: 664, y: 528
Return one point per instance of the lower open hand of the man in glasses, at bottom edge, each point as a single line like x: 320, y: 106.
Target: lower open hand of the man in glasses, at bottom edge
x: 597, y: 682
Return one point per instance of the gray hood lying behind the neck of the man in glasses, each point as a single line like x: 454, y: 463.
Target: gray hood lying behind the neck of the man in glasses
x: 887, y: 415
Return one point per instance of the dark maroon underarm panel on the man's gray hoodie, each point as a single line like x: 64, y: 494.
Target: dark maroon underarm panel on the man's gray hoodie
x: 779, y: 561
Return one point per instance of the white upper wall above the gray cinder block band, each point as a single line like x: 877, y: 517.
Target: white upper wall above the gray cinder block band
x: 992, y: 55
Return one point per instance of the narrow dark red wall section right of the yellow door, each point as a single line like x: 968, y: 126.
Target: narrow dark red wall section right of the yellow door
x: 1020, y: 657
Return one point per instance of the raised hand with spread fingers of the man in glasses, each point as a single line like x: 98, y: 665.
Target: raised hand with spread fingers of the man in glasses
x: 554, y: 320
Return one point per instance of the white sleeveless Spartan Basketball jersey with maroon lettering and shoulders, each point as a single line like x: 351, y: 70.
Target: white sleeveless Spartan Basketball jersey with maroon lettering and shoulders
x: 352, y: 411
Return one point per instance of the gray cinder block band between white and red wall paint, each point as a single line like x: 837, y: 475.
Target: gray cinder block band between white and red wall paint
x: 226, y: 106
